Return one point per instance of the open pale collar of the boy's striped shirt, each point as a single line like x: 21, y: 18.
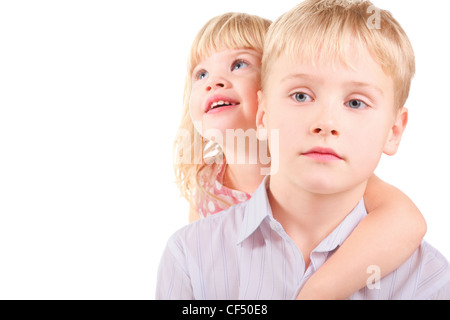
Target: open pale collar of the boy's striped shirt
x: 258, y: 208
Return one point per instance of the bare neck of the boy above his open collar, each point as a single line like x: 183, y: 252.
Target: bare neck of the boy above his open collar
x: 307, y: 217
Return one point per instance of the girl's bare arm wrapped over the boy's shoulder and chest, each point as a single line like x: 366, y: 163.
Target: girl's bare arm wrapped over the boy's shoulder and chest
x: 385, y: 238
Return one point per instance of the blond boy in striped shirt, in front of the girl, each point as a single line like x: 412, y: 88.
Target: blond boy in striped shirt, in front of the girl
x: 334, y: 89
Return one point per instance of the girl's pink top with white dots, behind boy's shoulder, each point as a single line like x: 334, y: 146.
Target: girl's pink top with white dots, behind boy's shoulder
x: 211, y: 179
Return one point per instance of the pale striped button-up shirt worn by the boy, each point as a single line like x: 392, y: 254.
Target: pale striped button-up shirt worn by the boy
x: 244, y: 253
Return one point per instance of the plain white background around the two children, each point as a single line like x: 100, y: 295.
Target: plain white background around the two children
x: 90, y: 101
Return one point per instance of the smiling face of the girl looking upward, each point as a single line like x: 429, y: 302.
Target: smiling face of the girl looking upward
x: 224, y: 92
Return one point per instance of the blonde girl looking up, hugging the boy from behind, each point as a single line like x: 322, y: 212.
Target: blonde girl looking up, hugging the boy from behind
x: 221, y: 96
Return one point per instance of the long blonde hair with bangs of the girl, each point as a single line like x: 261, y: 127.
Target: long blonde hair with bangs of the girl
x: 227, y: 31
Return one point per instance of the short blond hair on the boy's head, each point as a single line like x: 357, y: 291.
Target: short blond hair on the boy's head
x: 320, y: 30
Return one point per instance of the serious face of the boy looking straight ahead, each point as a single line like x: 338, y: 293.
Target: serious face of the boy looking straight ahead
x: 334, y: 122
